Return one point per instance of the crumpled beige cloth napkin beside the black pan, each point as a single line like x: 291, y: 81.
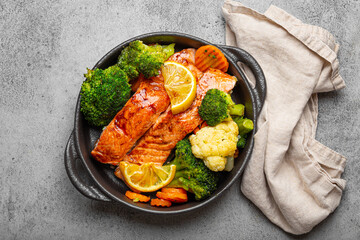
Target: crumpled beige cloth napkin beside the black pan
x: 294, y: 179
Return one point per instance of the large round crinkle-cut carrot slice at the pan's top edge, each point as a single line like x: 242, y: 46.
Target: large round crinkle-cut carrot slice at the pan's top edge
x: 209, y: 56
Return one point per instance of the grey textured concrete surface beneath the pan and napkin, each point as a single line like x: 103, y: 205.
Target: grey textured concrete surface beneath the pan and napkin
x: 45, y: 49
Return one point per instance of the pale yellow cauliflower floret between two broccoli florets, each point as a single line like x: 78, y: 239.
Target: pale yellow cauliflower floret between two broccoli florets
x: 215, y: 144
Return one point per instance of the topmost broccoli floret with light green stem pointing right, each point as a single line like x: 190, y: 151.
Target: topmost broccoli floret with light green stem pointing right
x: 140, y: 58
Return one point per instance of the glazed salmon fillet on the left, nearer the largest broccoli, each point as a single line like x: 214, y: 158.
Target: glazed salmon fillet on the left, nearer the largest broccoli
x: 138, y: 114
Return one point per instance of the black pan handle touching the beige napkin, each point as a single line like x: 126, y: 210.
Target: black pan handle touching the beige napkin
x: 241, y: 55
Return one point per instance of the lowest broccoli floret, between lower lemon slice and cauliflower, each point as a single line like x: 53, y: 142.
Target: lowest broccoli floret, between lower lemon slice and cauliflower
x: 191, y: 173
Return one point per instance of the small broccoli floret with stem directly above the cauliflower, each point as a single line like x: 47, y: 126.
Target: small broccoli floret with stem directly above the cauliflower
x: 217, y: 106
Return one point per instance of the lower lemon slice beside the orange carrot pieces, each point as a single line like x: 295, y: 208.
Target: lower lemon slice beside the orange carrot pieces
x: 147, y: 177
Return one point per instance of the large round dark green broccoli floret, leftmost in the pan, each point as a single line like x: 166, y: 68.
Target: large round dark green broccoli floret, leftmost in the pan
x: 103, y: 94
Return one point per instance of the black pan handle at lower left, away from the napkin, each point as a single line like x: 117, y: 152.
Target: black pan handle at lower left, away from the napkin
x: 71, y: 157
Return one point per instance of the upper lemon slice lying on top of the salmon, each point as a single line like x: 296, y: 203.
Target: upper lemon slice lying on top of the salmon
x: 180, y: 85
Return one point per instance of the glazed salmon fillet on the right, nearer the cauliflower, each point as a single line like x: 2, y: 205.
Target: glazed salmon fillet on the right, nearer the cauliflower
x: 157, y: 143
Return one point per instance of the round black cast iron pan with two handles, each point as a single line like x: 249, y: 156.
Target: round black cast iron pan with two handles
x: 98, y: 181
